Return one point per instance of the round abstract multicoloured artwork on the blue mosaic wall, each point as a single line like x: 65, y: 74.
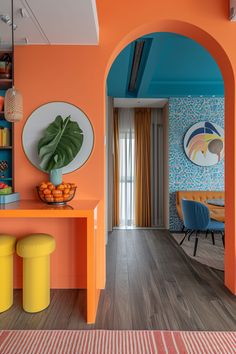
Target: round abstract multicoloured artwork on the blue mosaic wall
x: 204, y: 143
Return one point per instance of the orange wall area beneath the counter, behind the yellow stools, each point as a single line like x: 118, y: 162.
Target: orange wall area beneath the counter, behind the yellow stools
x: 67, y: 264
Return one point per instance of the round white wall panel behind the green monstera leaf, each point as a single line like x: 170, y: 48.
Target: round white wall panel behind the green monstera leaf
x: 39, y: 120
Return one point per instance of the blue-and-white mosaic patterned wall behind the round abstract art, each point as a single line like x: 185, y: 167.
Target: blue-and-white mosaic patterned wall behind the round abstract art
x: 183, y: 174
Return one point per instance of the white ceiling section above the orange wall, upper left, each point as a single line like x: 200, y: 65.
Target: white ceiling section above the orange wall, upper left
x: 51, y: 22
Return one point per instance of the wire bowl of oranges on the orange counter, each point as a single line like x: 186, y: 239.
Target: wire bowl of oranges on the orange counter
x: 56, y: 195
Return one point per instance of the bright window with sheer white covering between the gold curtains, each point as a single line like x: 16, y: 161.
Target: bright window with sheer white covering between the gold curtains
x: 127, y: 168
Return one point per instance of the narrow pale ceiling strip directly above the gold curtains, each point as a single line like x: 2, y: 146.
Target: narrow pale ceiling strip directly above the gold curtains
x: 140, y: 102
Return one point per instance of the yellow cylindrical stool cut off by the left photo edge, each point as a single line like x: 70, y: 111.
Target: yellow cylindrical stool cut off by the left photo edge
x: 7, y: 248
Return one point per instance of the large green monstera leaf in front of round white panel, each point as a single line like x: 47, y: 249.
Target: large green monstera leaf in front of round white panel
x: 60, y: 144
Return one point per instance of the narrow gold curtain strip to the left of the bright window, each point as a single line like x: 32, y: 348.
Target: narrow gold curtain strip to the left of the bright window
x: 116, y: 201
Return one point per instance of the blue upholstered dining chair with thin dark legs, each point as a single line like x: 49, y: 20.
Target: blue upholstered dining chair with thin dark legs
x: 196, y: 217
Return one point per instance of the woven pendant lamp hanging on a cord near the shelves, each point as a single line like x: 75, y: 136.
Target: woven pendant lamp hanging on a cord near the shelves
x: 13, y: 103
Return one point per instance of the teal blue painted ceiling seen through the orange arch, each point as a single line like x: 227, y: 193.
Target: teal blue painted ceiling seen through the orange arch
x: 171, y: 65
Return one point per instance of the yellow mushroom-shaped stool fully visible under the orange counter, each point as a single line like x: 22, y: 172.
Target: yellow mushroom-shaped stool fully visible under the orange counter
x: 35, y: 250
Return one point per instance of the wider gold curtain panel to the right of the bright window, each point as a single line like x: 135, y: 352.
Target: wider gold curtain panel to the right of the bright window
x: 142, y: 125
